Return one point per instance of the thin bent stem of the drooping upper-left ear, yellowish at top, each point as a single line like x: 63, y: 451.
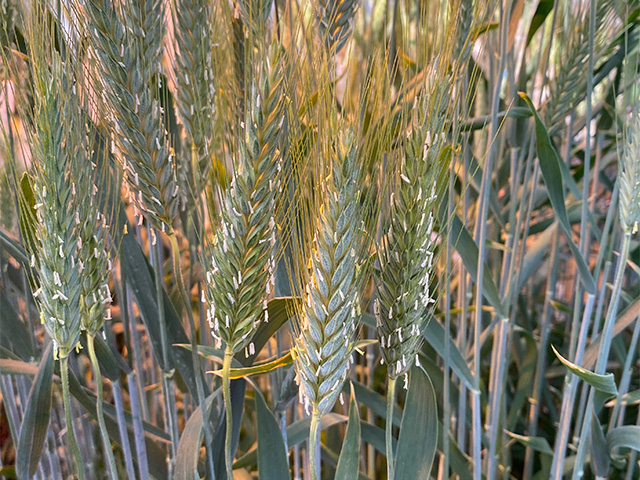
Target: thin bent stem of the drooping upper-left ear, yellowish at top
x: 208, y: 435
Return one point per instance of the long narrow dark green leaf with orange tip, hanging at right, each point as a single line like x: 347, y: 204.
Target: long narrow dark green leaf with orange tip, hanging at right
x: 552, y: 175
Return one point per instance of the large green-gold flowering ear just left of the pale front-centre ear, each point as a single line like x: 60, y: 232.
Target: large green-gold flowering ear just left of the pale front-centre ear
x: 241, y: 258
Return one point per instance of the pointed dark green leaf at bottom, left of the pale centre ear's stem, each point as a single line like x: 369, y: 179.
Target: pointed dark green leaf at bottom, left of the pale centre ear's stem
x: 272, y: 455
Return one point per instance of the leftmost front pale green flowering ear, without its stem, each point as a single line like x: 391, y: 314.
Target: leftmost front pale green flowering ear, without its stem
x: 54, y: 257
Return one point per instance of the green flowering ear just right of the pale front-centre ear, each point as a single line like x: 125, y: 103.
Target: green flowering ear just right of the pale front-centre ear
x: 406, y: 250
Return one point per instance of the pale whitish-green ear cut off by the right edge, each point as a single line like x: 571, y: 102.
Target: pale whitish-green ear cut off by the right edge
x: 629, y: 178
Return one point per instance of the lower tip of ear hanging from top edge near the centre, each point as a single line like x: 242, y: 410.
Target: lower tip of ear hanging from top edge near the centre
x: 335, y: 18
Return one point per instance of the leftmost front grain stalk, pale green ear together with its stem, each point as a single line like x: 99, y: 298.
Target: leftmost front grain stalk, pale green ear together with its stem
x: 54, y: 252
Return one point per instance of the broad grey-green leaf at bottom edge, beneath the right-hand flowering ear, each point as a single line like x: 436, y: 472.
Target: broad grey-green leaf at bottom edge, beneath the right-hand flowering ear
x: 419, y: 430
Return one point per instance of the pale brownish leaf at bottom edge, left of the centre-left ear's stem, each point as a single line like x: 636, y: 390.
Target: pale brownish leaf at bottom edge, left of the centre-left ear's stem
x: 186, y: 467
